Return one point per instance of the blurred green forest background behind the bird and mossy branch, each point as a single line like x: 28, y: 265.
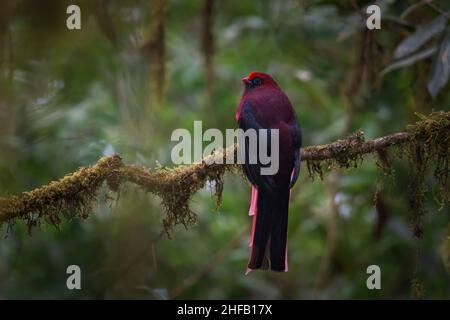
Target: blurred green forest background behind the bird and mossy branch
x: 137, y: 70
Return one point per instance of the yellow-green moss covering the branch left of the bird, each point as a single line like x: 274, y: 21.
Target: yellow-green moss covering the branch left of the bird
x: 75, y: 194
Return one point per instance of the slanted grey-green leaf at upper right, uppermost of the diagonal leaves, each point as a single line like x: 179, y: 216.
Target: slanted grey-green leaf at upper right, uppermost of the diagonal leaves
x: 418, y: 38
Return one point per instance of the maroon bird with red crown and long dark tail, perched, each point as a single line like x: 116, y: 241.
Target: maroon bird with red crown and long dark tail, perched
x: 264, y: 106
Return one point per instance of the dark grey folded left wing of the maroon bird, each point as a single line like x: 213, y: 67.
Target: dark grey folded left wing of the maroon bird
x: 248, y: 121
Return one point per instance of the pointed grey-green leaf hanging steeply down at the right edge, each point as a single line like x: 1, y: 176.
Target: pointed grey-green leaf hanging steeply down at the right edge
x: 440, y: 69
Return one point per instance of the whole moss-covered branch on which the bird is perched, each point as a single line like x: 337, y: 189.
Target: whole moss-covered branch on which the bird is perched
x: 75, y: 194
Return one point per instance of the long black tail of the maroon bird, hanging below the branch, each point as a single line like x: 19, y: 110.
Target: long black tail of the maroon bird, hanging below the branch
x: 269, y: 234
